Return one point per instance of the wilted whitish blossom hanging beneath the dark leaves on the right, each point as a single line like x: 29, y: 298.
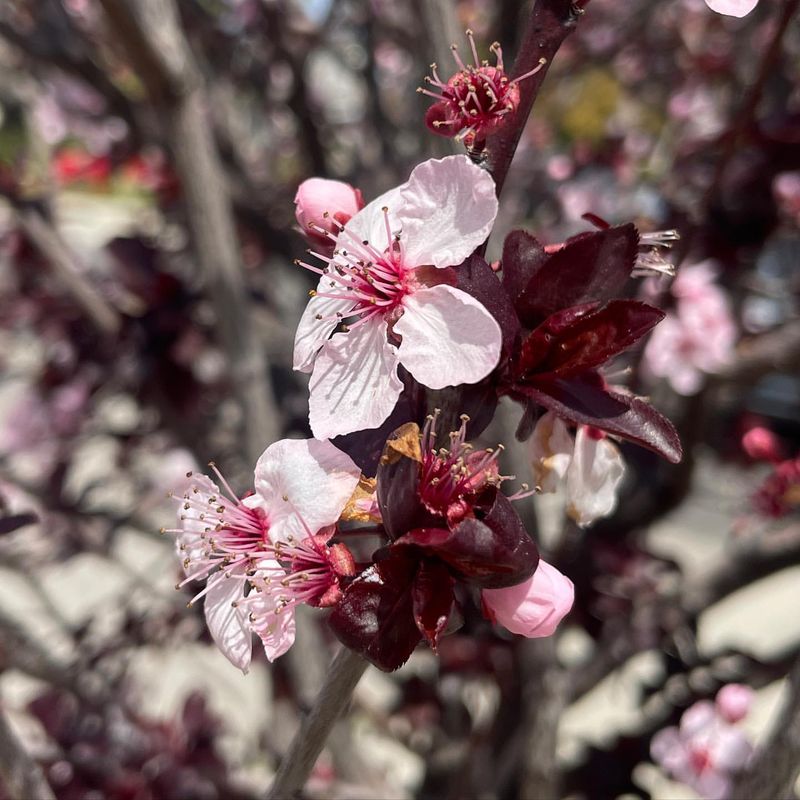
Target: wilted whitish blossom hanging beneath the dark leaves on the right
x: 590, y: 465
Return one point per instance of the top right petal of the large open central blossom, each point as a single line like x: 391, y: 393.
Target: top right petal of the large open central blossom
x: 449, y: 207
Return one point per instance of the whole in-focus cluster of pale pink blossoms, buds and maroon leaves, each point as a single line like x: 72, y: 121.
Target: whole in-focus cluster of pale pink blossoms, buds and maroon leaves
x: 406, y: 311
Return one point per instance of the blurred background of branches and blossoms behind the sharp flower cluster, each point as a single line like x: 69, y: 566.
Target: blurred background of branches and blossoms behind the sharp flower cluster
x: 149, y: 156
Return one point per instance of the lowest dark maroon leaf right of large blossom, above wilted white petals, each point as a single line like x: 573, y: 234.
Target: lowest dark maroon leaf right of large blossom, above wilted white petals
x: 584, y: 400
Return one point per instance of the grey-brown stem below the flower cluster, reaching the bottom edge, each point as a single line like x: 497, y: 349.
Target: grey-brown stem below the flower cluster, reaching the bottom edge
x: 344, y: 673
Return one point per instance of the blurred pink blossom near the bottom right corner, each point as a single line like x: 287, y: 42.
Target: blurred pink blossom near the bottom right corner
x: 706, y: 750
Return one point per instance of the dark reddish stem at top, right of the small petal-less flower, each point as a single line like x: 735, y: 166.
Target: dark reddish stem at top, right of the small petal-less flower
x: 549, y: 23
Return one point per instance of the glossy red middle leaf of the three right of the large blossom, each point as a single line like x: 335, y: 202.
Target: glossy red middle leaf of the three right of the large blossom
x: 588, y: 340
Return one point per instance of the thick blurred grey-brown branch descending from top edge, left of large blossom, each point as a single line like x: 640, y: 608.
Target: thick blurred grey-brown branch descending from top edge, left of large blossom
x: 151, y: 33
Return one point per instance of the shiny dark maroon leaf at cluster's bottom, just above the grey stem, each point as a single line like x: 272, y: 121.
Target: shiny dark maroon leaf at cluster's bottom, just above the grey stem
x: 376, y: 617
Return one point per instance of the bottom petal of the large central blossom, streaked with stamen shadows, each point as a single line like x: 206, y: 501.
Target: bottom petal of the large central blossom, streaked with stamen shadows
x: 354, y: 385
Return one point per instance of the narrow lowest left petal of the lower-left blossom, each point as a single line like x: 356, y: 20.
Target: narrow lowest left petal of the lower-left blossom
x: 229, y: 625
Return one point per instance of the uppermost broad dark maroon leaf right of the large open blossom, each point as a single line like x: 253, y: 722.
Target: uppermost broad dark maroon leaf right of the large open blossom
x: 590, y: 266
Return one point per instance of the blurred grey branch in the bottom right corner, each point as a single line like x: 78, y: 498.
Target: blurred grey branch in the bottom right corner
x: 776, y: 764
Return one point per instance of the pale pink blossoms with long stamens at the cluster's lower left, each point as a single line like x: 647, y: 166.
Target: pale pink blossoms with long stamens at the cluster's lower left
x: 263, y: 554
